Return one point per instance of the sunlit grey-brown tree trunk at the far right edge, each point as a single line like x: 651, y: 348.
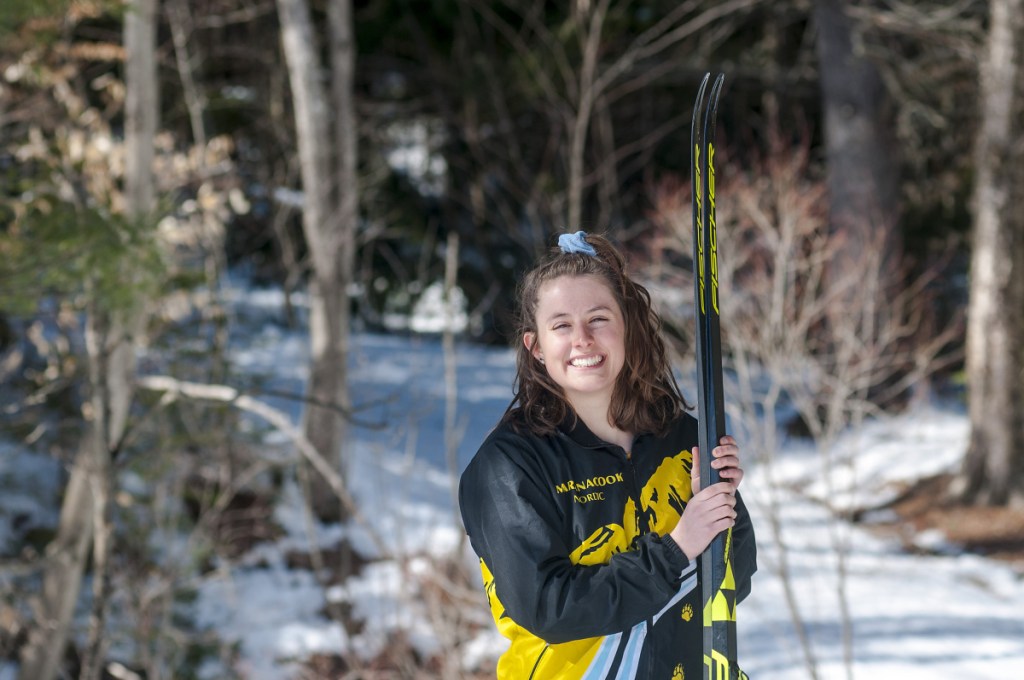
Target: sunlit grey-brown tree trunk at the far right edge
x: 994, y: 469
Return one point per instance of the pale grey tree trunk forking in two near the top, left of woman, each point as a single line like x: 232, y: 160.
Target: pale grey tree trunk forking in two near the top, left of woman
x: 325, y: 121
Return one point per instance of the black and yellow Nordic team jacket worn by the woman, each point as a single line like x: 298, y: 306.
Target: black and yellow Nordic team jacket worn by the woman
x: 580, y: 572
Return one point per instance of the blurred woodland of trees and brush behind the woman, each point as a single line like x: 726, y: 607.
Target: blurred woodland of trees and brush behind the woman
x: 372, y: 158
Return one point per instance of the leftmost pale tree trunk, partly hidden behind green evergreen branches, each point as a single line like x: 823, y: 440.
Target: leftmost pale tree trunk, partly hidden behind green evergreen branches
x: 111, y: 343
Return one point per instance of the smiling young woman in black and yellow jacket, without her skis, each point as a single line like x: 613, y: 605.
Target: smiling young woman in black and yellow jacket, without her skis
x: 584, y: 504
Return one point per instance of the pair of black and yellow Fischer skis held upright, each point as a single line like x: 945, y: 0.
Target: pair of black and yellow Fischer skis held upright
x: 719, y: 589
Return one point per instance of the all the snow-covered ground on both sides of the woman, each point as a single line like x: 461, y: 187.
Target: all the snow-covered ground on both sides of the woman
x: 946, y: 615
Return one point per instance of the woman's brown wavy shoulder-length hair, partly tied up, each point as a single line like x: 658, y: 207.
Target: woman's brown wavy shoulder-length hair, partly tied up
x: 647, y: 398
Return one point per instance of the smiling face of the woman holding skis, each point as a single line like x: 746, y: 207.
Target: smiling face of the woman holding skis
x: 581, y: 337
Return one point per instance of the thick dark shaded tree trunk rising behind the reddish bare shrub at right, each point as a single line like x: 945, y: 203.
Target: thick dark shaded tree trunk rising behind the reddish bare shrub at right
x: 860, y: 143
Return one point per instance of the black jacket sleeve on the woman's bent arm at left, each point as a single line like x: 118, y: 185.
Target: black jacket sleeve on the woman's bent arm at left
x: 515, y: 524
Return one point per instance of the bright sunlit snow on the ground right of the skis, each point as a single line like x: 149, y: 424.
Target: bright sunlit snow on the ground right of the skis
x: 938, y: 616
